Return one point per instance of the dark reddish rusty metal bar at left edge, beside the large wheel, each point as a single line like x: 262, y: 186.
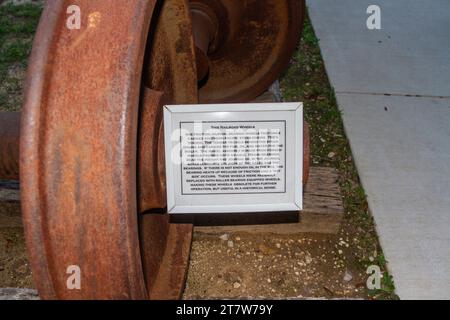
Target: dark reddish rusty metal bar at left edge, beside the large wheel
x: 9, y: 145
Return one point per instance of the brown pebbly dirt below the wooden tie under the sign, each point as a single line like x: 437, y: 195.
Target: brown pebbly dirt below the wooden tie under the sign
x: 275, y: 266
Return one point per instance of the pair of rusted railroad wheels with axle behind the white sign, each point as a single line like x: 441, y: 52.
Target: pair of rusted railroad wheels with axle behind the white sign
x: 91, y: 153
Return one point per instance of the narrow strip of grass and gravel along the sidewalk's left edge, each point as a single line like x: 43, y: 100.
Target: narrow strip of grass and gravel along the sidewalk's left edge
x: 307, y: 81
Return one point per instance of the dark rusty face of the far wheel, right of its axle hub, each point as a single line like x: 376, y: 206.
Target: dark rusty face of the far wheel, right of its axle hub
x: 256, y: 40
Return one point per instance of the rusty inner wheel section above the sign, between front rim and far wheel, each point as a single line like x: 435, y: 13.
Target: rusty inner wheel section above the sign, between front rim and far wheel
x: 170, y: 62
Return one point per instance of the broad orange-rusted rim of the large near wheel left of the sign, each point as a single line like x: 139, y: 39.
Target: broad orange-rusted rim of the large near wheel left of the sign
x: 78, y: 160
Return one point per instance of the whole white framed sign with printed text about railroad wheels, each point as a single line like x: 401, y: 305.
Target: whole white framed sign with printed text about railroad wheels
x: 234, y: 157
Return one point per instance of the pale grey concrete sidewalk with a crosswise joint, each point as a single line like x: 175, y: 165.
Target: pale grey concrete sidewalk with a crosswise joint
x: 393, y: 87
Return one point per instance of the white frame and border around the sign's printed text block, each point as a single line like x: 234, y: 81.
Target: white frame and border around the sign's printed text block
x: 260, y: 114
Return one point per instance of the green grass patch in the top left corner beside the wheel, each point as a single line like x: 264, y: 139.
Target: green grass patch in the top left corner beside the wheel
x: 18, y: 24
